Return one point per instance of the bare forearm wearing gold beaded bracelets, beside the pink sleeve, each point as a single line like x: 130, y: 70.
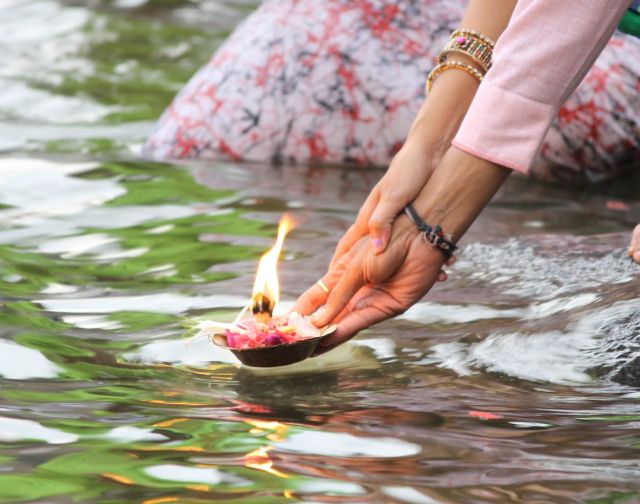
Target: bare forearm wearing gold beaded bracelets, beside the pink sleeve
x: 444, y: 109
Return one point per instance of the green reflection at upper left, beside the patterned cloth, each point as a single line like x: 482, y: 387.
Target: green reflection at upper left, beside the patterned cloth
x: 138, y: 65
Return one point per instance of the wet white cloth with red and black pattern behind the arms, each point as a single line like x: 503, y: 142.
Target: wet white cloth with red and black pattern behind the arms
x: 340, y: 81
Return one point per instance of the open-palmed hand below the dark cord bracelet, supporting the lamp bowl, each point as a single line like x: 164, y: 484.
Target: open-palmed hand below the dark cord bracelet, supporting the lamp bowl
x: 366, y: 288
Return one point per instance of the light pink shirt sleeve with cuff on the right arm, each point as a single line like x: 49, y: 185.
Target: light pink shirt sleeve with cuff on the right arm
x: 538, y: 61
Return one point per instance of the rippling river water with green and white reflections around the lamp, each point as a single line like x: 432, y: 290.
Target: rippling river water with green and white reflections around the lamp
x: 512, y: 382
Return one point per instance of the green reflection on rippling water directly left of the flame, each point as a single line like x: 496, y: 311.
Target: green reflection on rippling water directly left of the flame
x: 168, y: 251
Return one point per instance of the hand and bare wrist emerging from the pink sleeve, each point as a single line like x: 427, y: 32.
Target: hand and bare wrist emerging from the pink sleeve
x: 366, y: 288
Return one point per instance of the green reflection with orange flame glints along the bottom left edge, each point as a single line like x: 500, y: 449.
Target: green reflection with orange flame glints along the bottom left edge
x: 180, y: 464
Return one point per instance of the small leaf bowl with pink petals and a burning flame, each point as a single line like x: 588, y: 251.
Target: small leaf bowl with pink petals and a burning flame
x: 261, y: 339
